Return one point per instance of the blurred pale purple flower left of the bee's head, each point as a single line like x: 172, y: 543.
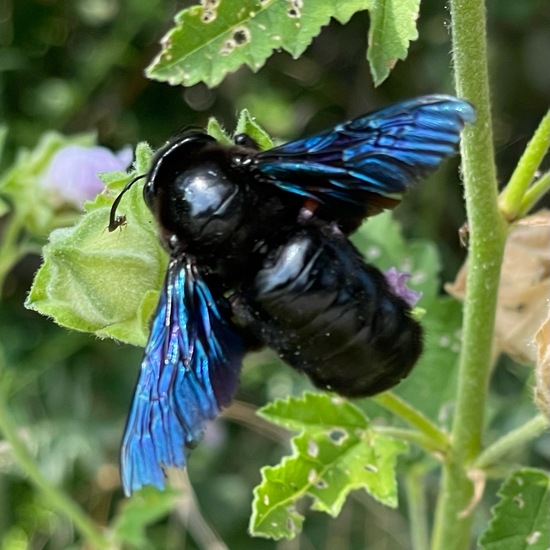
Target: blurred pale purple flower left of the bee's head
x: 72, y: 175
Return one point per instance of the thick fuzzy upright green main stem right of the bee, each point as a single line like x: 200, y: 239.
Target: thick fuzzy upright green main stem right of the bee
x: 452, y: 529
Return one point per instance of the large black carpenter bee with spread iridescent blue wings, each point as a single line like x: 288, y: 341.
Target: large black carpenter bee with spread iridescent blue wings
x: 259, y: 255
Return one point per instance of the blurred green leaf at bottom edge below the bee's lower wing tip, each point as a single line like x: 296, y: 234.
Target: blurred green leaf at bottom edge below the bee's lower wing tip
x: 145, y: 507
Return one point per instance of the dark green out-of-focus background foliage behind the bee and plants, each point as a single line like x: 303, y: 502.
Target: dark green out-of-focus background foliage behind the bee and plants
x: 78, y: 65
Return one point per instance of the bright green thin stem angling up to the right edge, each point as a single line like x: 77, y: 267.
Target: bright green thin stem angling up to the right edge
x: 513, y: 195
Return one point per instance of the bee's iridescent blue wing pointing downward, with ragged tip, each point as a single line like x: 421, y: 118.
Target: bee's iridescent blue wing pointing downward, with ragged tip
x: 190, y: 371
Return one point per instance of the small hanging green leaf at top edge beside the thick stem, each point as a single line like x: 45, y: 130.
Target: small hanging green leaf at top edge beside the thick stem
x: 392, y: 28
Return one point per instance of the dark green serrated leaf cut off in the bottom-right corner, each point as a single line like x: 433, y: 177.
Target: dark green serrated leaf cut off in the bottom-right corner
x: 521, y: 519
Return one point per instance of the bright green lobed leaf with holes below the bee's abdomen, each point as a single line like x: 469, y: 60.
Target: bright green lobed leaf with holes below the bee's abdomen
x: 337, y: 452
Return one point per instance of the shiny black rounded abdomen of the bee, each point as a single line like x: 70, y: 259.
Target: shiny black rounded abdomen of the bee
x: 330, y: 315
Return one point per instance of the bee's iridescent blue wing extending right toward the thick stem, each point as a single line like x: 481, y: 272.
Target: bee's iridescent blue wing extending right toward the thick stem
x: 369, y: 162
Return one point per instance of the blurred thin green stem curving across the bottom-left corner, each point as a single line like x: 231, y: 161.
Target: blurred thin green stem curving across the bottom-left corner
x: 53, y: 497
